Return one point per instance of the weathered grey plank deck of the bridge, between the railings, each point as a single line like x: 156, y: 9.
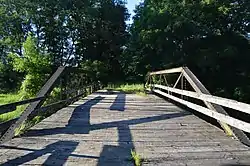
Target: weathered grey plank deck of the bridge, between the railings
x: 103, y: 128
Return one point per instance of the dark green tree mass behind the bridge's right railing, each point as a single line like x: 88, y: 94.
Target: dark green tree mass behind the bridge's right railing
x: 205, y: 35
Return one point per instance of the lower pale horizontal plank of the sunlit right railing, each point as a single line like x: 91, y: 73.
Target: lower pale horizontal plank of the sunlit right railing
x: 213, y: 114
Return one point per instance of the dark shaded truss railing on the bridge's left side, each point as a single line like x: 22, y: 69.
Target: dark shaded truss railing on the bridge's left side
x: 72, y: 84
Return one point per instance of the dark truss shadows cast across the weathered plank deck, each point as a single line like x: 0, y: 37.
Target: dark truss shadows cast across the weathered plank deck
x: 79, y: 123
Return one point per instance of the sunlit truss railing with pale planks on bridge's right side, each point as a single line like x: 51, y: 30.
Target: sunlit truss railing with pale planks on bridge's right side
x: 175, y: 88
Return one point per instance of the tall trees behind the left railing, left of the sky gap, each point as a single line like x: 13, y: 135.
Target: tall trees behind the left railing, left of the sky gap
x: 70, y: 31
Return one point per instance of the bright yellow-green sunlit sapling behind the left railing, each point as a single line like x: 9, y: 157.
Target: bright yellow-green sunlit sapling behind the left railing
x: 34, y: 64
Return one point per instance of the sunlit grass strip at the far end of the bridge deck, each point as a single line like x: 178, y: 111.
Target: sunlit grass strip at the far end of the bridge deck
x: 129, y: 88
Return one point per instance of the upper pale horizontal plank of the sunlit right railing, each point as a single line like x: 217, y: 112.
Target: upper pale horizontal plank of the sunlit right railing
x: 209, y: 98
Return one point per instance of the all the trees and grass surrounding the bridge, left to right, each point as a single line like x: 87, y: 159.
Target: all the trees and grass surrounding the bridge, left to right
x: 211, y: 37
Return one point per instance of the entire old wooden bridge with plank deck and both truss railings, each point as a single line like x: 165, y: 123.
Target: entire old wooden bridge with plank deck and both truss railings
x: 177, y: 123
